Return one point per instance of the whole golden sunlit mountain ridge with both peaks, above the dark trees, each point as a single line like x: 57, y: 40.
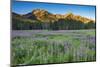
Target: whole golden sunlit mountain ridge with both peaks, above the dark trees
x: 46, y: 16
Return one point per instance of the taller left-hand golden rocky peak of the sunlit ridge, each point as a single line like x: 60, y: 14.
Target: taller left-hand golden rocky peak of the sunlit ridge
x: 41, y: 15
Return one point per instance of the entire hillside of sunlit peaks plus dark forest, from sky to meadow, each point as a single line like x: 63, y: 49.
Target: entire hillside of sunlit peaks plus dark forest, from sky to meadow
x: 42, y: 19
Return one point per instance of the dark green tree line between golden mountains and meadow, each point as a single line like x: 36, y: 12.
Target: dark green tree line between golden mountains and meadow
x: 61, y: 24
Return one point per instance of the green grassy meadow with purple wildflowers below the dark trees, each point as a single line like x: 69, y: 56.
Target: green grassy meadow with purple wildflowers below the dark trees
x: 43, y: 46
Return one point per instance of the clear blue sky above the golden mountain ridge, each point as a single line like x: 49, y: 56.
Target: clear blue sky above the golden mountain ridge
x: 23, y: 7
